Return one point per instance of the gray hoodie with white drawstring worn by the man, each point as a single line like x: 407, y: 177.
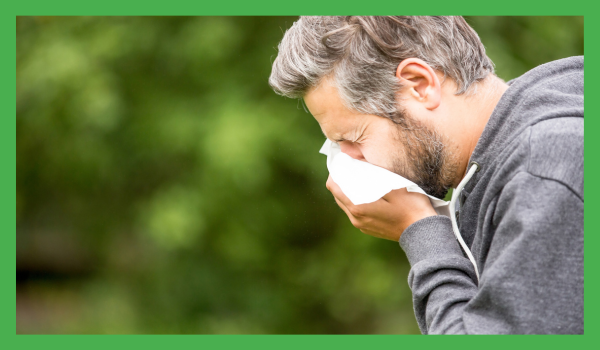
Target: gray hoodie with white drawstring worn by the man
x: 521, y: 215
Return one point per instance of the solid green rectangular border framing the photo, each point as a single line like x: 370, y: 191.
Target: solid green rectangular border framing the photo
x: 271, y: 7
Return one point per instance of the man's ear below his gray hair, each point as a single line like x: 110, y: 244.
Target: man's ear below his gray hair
x: 420, y: 82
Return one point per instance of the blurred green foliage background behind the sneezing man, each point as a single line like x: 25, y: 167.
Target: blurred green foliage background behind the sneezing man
x: 162, y: 187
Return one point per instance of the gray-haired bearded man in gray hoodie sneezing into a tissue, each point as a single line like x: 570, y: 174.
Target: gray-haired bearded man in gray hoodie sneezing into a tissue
x: 419, y: 97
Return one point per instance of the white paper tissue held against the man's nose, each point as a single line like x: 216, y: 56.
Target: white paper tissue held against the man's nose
x: 363, y: 182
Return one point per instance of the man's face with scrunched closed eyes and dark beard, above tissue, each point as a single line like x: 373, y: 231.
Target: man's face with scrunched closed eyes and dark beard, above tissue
x: 408, y: 148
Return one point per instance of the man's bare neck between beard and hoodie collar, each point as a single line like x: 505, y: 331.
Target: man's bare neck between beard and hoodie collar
x: 477, y: 110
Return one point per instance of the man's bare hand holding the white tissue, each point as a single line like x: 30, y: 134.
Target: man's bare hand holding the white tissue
x: 387, y: 217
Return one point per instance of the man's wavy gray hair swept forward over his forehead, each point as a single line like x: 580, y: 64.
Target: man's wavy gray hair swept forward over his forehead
x: 361, y: 54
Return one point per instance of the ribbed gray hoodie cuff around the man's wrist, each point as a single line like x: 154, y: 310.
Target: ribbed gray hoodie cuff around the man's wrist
x: 427, y: 238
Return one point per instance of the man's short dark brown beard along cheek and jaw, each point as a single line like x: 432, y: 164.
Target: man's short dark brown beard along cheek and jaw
x: 428, y: 162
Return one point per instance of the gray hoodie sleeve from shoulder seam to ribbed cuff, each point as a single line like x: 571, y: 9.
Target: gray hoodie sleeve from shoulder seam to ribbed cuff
x: 531, y: 277
